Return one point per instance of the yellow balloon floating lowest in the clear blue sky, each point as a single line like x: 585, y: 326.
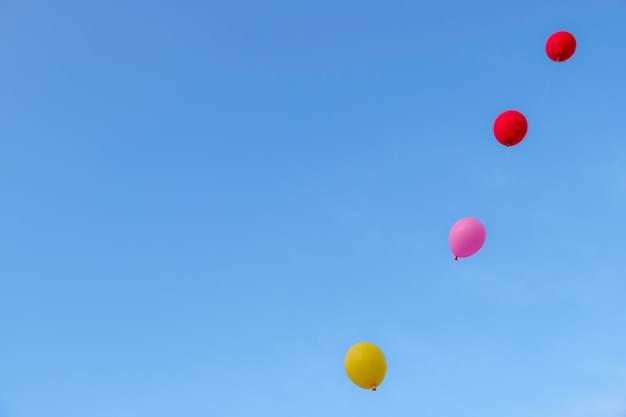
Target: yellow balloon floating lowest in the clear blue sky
x: 365, y: 365
